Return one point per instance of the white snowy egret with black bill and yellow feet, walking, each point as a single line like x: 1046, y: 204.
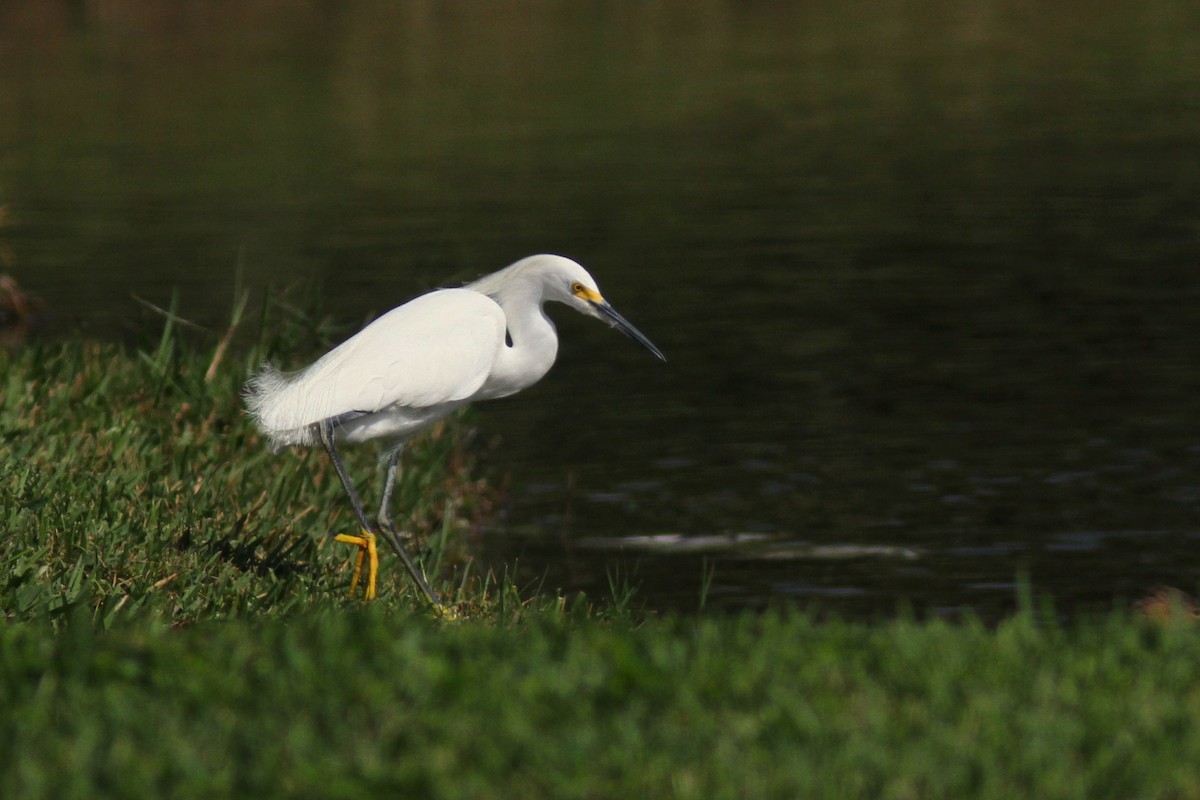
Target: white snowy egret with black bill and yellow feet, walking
x: 418, y: 364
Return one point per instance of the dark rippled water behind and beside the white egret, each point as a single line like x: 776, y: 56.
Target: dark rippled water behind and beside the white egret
x: 928, y: 275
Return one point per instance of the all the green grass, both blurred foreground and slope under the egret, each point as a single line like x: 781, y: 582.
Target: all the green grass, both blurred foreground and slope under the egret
x: 176, y: 625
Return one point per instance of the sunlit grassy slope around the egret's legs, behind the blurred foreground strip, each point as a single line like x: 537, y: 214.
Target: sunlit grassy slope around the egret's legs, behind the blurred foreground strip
x: 134, y: 482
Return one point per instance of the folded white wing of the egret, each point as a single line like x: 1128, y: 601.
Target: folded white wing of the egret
x: 436, y: 350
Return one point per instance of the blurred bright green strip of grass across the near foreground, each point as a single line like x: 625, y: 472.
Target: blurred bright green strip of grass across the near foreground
x: 347, y: 703
